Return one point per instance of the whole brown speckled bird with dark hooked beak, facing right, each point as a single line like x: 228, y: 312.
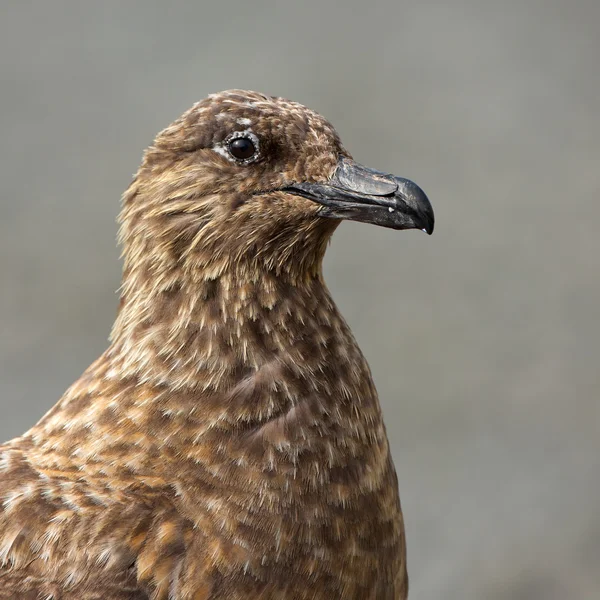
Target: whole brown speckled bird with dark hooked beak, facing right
x: 229, y: 443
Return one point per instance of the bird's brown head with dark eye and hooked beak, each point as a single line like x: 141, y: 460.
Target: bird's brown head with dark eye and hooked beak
x: 245, y: 180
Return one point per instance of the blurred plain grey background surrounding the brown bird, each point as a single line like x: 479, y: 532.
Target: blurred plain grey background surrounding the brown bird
x: 483, y: 339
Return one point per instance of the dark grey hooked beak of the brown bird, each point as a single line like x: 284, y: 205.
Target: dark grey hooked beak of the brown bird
x: 361, y: 194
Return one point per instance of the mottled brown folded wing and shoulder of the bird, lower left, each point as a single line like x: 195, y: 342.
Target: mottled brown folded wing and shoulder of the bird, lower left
x: 62, y: 534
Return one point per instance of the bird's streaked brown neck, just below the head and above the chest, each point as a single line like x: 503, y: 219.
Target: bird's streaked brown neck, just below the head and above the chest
x: 208, y: 333
